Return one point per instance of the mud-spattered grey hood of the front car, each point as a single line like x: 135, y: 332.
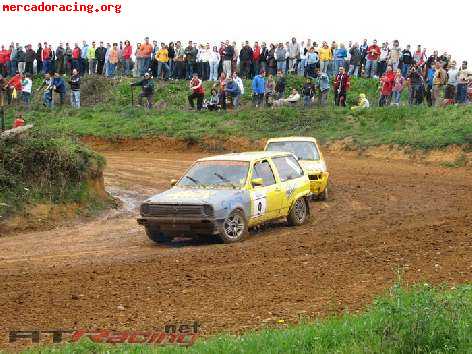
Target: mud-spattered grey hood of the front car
x: 178, y: 195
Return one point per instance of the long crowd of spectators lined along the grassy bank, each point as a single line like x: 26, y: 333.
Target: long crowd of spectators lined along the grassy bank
x: 434, y: 79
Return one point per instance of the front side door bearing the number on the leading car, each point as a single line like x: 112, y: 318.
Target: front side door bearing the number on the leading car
x: 266, y: 200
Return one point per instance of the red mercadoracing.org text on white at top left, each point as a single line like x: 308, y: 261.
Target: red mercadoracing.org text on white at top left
x: 47, y: 7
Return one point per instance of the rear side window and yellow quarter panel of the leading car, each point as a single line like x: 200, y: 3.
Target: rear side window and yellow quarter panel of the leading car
x: 290, y: 175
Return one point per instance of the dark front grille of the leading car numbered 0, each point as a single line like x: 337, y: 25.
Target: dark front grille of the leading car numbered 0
x: 176, y: 210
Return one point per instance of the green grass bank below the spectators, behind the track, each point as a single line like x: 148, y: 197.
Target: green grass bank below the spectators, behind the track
x: 108, y: 114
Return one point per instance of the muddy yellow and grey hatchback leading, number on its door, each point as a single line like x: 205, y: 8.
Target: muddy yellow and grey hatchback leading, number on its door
x: 225, y: 195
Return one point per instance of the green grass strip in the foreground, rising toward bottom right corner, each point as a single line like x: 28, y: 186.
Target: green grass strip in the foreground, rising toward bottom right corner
x: 421, y: 320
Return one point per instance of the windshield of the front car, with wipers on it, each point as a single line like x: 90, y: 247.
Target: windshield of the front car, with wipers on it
x: 216, y: 174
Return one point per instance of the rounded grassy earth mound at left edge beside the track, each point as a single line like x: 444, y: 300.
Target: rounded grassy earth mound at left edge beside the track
x: 38, y: 167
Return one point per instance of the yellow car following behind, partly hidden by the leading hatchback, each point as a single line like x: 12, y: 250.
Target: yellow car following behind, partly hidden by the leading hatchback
x: 309, y: 155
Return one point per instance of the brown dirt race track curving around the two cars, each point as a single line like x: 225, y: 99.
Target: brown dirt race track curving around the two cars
x: 382, y: 216
